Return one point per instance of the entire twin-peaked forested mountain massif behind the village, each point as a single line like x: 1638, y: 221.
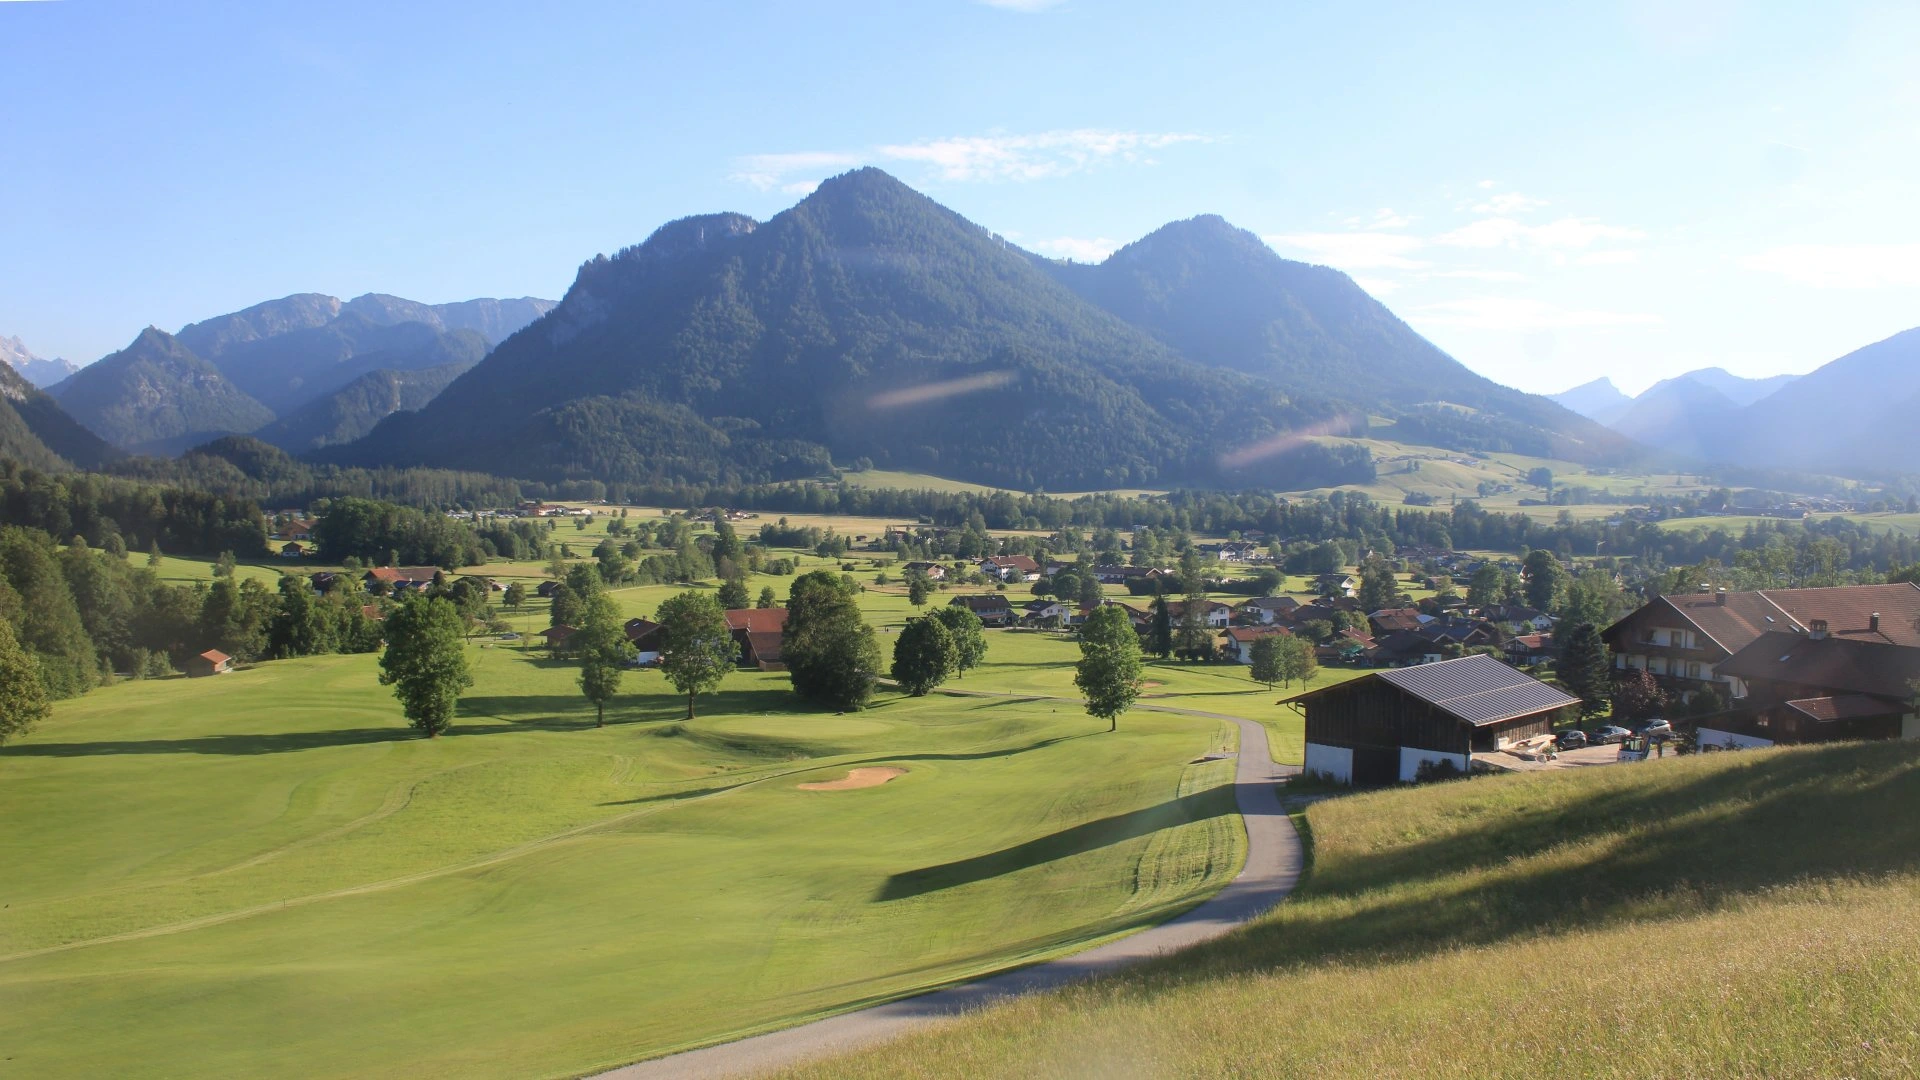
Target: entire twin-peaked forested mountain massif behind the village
x: 871, y: 322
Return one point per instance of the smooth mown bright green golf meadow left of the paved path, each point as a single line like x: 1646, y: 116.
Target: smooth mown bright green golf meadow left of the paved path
x: 268, y: 875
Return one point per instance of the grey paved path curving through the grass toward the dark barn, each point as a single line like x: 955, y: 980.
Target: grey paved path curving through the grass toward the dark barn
x: 1274, y: 858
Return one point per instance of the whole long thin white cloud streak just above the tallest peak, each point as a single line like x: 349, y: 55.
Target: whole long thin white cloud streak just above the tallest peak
x: 969, y: 159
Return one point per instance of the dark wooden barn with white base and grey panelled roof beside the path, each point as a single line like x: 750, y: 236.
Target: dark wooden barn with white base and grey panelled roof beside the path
x: 1383, y: 727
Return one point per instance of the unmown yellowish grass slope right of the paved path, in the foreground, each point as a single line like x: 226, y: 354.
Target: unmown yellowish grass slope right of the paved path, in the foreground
x: 1725, y: 916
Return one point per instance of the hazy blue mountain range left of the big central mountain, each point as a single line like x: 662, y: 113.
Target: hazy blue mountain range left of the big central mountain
x: 287, y: 368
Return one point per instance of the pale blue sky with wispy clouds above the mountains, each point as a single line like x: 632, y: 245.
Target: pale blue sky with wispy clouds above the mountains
x: 1633, y: 191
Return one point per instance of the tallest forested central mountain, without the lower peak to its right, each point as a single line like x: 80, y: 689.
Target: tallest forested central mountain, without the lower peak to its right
x: 867, y: 322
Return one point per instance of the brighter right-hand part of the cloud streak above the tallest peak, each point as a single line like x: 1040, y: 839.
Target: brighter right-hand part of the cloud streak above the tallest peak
x: 1034, y: 157
